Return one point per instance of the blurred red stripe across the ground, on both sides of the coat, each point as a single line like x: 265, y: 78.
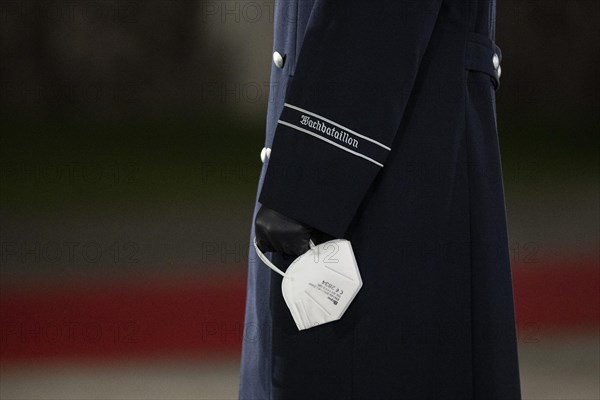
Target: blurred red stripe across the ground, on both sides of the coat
x: 205, y: 319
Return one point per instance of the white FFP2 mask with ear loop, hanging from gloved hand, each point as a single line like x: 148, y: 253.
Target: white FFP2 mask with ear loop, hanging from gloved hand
x: 319, y: 285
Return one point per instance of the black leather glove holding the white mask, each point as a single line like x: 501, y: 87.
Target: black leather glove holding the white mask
x: 277, y: 233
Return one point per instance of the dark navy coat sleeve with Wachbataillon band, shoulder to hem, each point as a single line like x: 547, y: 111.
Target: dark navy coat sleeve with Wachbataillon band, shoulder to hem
x: 343, y: 106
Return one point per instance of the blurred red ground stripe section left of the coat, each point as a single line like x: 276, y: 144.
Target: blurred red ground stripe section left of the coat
x: 199, y: 319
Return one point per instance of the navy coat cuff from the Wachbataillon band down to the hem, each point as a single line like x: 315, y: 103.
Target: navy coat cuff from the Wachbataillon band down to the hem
x: 319, y: 170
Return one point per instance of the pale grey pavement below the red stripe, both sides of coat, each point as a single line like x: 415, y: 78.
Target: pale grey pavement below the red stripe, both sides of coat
x: 553, y: 367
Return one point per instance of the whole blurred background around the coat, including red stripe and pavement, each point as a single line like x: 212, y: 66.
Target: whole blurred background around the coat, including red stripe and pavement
x: 130, y: 134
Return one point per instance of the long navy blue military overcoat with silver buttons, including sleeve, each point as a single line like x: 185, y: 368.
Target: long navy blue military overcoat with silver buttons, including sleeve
x: 382, y: 130
